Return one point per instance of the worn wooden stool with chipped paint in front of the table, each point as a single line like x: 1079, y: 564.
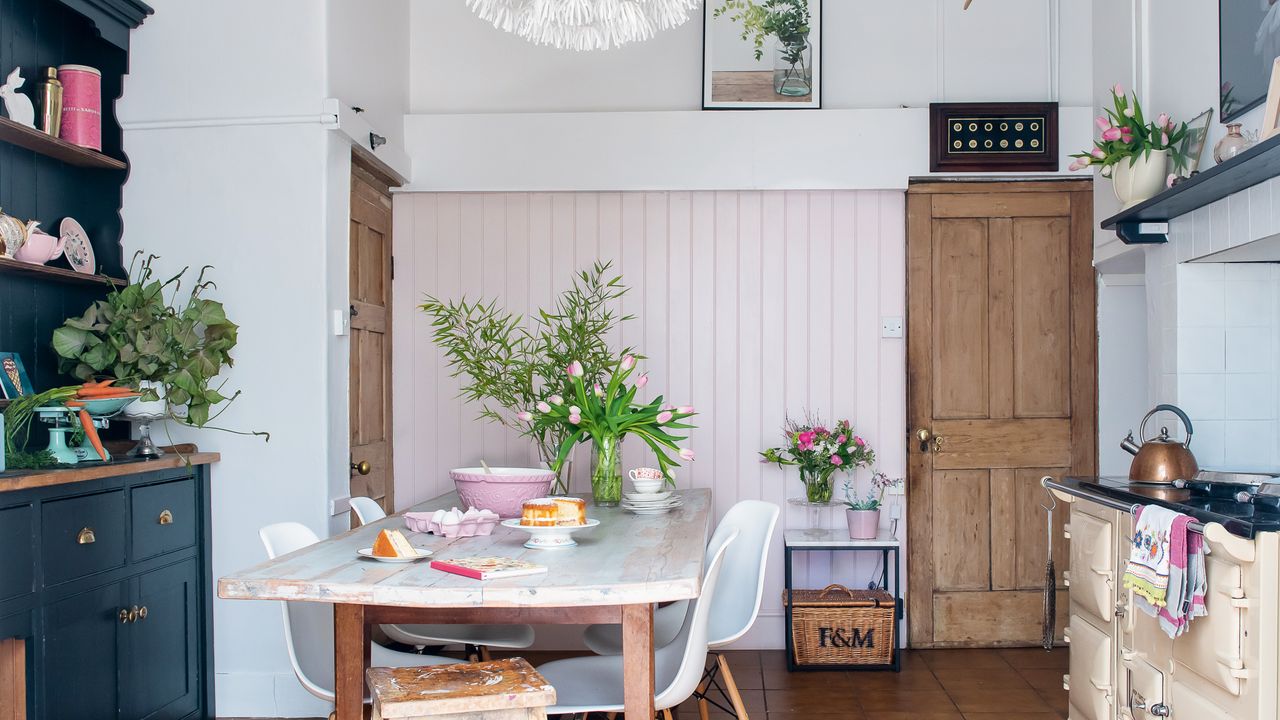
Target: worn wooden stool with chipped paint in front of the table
x: 506, y: 690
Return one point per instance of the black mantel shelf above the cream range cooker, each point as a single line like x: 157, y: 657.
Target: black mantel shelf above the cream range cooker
x: 1255, y: 166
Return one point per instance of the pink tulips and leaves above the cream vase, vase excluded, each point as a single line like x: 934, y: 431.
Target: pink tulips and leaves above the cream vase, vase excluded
x: 1124, y: 134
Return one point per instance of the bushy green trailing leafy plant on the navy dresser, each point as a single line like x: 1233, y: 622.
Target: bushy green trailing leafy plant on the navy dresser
x: 139, y: 335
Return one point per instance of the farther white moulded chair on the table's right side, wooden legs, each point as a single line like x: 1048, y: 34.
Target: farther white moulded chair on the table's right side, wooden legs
x: 735, y: 608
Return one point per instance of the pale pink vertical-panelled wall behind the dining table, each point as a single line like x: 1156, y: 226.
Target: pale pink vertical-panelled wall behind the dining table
x: 749, y: 306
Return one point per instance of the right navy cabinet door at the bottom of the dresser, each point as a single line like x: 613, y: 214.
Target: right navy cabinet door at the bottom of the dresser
x: 161, y: 669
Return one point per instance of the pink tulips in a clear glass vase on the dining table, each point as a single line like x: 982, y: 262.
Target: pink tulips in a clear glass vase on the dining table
x: 609, y: 414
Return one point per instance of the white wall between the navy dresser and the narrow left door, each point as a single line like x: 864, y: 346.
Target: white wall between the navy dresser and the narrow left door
x: 231, y: 166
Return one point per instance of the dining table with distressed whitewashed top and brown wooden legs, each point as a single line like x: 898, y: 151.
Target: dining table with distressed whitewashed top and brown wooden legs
x: 616, y: 575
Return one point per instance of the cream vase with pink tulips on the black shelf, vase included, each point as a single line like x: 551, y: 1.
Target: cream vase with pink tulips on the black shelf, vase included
x: 1132, y: 152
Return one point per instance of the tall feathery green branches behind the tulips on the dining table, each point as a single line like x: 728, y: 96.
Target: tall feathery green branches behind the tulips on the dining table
x: 509, y: 367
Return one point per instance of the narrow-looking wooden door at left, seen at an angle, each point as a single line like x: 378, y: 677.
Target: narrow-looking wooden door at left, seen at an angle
x: 371, y: 336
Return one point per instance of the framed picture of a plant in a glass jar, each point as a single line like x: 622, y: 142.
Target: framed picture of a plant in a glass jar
x: 762, y: 54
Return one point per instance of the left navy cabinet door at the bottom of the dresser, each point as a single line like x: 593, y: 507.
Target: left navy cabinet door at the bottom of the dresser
x: 81, y: 655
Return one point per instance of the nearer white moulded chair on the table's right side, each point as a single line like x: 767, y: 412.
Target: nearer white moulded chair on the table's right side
x: 596, y: 683
